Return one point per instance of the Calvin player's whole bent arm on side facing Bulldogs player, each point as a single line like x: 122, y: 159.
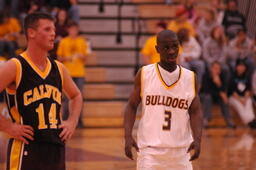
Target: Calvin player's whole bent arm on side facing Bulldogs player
x: 75, y: 106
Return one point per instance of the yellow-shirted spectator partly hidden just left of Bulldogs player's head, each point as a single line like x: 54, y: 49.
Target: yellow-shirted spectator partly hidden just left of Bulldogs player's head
x: 148, y: 52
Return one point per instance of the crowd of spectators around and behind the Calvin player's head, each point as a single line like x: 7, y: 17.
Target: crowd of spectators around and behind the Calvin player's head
x: 12, y: 13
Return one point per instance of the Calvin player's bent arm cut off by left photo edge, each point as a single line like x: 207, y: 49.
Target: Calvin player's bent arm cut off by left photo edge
x: 17, y: 131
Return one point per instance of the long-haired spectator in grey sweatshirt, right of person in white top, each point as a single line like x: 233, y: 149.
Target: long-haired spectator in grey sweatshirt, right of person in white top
x: 215, y: 49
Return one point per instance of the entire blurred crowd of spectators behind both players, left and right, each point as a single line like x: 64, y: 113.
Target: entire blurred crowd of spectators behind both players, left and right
x: 214, y: 42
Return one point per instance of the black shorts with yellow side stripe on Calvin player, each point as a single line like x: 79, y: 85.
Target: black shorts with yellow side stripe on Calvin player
x: 35, y: 156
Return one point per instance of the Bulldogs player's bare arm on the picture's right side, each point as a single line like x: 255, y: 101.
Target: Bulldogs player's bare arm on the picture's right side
x: 196, y: 122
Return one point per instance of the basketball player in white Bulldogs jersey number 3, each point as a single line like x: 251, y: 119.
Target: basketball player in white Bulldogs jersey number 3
x: 171, y: 122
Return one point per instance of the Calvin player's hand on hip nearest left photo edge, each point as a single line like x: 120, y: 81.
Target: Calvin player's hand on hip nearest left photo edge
x: 20, y: 132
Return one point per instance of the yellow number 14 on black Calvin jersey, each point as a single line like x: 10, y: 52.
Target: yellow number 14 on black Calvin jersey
x: 51, y: 116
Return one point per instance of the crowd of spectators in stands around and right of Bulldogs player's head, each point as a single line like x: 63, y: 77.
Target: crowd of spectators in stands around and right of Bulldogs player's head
x: 214, y: 44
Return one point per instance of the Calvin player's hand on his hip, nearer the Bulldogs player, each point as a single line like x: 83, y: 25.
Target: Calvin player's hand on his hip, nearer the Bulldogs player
x: 68, y: 128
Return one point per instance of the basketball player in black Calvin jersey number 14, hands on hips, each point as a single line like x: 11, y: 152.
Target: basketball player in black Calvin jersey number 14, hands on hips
x: 34, y: 83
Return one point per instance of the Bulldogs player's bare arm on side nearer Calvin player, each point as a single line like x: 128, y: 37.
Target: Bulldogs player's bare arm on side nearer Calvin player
x: 130, y: 116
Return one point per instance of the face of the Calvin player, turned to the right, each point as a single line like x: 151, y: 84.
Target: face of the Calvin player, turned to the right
x: 44, y: 34
